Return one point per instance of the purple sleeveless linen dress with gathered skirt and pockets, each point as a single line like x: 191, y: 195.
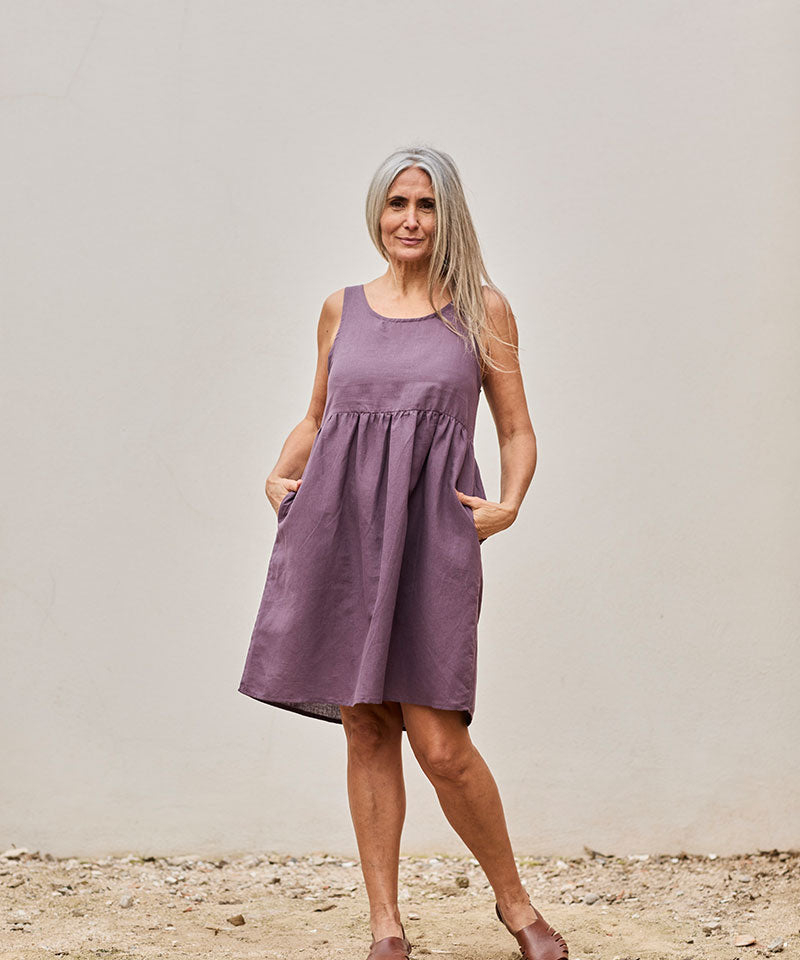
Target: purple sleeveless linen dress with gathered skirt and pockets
x: 375, y: 581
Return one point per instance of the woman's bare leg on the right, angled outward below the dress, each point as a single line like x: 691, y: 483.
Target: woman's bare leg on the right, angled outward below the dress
x: 470, y: 800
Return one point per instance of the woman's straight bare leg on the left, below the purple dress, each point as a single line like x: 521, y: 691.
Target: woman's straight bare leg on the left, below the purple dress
x: 377, y: 795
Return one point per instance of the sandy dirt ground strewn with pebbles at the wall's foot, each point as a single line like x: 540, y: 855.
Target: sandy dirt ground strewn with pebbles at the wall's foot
x: 616, y: 907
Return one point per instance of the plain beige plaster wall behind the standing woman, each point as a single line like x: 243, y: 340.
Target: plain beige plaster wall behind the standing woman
x: 183, y: 184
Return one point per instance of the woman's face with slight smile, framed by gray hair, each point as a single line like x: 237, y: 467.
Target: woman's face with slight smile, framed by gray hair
x: 408, y: 221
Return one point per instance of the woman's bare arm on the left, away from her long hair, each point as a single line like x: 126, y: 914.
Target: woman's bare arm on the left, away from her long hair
x: 287, y: 473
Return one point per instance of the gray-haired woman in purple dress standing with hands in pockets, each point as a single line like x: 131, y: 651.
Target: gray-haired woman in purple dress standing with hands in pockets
x: 369, y: 613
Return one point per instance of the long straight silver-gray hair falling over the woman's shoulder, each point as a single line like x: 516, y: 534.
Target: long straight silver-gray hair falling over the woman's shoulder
x: 456, y: 261
